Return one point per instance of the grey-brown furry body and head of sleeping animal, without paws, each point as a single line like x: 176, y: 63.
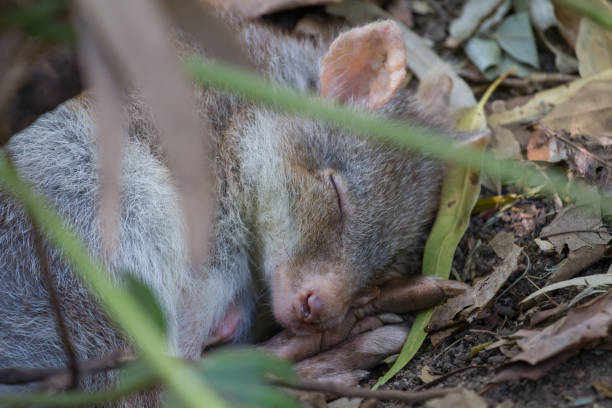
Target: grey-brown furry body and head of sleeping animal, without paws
x: 315, y: 213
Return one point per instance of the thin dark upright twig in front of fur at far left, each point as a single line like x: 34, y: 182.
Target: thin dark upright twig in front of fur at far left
x: 62, y: 329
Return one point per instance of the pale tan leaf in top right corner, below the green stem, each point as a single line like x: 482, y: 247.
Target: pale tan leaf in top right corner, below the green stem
x: 593, y: 46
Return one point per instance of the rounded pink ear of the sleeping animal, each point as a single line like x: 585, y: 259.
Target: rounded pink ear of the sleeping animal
x: 367, y: 64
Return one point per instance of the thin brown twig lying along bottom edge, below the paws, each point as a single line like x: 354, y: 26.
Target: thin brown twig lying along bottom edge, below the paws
x: 354, y: 392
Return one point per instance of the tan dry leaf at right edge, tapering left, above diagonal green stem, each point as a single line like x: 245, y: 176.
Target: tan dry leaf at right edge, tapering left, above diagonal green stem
x: 588, y: 112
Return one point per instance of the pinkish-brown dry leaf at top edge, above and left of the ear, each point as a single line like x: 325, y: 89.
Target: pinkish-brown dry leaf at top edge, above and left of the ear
x: 254, y: 9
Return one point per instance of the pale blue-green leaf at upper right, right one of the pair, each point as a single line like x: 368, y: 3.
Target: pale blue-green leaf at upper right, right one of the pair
x: 515, y: 36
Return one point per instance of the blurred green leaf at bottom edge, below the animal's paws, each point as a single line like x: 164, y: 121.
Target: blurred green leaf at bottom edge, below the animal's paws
x: 240, y: 377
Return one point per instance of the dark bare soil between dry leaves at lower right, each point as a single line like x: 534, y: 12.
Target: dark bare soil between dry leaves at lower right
x: 569, y: 385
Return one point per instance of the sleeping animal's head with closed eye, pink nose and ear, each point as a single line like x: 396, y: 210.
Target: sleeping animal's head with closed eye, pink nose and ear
x: 337, y: 213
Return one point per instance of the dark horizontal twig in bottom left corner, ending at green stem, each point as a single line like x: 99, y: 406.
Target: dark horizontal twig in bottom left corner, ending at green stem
x: 59, y: 377
